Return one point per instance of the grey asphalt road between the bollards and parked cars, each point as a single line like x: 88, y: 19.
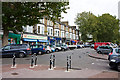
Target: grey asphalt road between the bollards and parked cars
x: 80, y: 60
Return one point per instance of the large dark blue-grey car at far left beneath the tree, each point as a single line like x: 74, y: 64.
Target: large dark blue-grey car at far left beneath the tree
x: 20, y: 50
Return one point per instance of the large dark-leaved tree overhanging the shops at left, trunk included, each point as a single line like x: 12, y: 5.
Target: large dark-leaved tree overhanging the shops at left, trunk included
x: 18, y: 14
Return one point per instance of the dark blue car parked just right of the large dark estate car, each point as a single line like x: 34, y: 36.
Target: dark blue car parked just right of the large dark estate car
x: 37, y: 48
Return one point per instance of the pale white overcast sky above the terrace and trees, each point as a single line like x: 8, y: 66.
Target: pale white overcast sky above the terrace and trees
x: 97, y: 7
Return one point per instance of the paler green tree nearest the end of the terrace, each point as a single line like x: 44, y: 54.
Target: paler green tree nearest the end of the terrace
x: 87, y: 23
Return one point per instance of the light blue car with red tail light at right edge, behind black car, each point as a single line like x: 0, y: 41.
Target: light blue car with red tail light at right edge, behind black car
x: 114, y: 53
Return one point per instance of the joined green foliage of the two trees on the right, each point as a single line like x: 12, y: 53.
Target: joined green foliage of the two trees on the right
x: 102, y: 28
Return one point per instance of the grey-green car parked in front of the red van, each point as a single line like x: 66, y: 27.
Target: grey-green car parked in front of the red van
x: 103, y: 49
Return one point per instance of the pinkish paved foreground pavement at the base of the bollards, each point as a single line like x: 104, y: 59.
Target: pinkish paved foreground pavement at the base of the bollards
x: 42, y: 71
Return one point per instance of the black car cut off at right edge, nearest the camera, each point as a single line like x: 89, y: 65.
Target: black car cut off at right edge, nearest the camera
x: 115, y: 63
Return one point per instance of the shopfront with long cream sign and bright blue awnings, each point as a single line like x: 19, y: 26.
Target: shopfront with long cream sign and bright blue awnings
x: 34, y: 39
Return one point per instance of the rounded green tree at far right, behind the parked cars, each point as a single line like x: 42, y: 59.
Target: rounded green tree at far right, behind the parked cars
x: 108, y: 28
